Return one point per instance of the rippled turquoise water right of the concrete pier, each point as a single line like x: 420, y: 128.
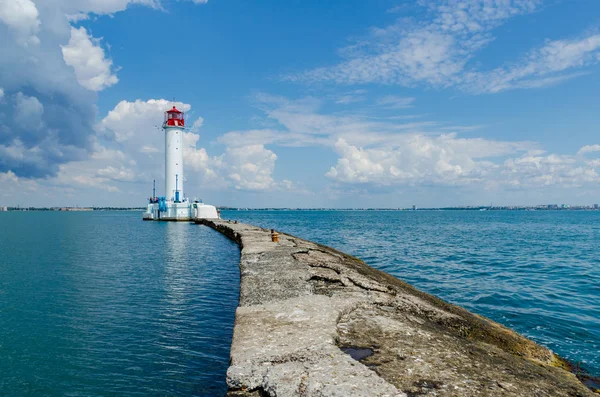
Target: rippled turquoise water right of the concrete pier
x: 536, y: 272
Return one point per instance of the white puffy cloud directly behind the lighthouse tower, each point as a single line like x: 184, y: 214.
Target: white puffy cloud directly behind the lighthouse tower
x: 134, y: 127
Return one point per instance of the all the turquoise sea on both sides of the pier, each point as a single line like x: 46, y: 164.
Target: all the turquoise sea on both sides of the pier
x: 95, y: 304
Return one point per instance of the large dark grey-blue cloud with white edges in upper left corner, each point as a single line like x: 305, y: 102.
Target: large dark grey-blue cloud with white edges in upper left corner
x: 57, y: 69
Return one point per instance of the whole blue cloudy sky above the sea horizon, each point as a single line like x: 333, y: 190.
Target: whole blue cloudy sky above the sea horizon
x: 381, y: 103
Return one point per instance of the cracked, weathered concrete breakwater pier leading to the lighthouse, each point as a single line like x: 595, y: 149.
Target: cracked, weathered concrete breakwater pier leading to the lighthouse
x: 313, y: 321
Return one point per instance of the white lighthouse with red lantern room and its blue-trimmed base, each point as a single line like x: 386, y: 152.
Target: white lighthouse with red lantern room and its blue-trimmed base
x: 175, y: 205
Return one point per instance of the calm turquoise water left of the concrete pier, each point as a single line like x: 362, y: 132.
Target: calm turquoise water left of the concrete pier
x: 97, y: 304
